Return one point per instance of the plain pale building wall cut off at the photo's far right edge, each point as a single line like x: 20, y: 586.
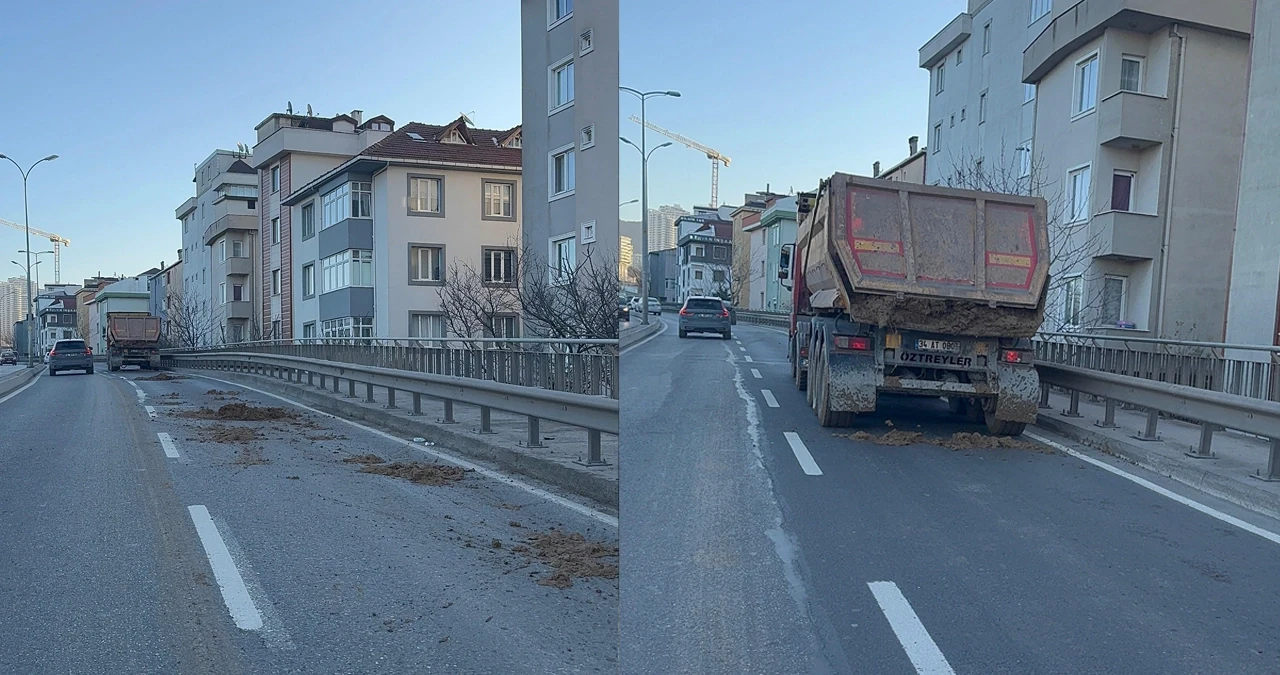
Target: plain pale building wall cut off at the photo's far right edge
x: 1254, y: 303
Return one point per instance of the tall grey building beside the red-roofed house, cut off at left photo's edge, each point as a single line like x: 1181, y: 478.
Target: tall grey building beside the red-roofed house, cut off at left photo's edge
x: 570, y: 76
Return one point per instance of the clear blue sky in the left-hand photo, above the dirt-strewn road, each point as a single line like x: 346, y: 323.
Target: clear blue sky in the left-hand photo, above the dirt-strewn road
x: 132, y: 99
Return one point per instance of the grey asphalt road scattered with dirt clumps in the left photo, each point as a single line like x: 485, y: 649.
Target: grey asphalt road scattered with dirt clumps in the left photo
x: 267, y: 555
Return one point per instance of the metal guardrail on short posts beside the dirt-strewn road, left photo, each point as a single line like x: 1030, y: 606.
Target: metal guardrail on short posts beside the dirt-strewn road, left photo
x: 597, y: 414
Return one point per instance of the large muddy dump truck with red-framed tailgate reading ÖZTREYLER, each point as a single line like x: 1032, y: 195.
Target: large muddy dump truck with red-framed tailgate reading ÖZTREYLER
x: 917, y: 290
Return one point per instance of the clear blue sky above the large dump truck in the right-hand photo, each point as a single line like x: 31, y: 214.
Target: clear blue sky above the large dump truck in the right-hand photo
x: 790, y: 92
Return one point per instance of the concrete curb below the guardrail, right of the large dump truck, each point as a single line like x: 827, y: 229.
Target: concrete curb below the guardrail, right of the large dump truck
x: 1208, y: 482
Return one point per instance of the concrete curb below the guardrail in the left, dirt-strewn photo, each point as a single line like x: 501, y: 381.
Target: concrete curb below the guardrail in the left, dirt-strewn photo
x: 589, y: 486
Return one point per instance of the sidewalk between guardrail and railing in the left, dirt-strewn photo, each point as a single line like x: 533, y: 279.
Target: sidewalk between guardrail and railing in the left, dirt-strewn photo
x: 506, y: 448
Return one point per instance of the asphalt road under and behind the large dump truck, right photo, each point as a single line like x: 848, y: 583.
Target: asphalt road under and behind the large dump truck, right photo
x: 913, y: 559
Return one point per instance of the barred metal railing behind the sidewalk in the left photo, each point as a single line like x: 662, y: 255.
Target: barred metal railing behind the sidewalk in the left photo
x: 586, y: 367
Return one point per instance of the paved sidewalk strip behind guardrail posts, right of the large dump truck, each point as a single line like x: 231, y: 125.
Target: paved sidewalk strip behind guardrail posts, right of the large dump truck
x: 1227, y: 476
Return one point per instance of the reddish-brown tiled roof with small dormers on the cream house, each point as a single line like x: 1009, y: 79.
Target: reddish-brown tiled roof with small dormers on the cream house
x: 486, y: 149
